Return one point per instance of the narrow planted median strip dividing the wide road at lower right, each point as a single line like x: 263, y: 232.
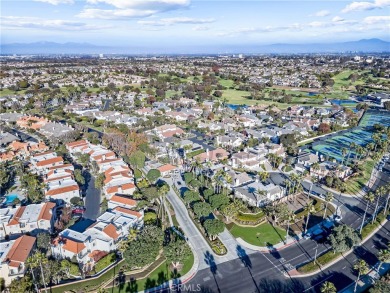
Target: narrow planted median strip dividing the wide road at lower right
x: 329, y: 257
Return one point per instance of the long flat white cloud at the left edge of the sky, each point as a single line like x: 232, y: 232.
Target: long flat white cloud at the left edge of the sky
x: 15, y: 22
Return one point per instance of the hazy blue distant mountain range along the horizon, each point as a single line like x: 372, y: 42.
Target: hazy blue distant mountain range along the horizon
x: 362, y: 46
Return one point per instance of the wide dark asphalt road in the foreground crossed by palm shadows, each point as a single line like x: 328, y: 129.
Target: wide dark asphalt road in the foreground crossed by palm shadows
x: 261, y: 272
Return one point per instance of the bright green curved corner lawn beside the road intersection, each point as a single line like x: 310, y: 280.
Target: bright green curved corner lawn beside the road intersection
x: 261, y: 235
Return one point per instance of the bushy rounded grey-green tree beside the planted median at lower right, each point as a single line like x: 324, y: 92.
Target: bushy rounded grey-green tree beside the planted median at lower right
x: 343, y: 238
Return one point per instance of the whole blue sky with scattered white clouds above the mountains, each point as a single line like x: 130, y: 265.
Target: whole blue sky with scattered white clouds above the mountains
x: 192, y: 23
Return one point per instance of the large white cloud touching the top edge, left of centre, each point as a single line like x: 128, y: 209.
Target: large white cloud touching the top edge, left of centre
x: 131, y: 8
